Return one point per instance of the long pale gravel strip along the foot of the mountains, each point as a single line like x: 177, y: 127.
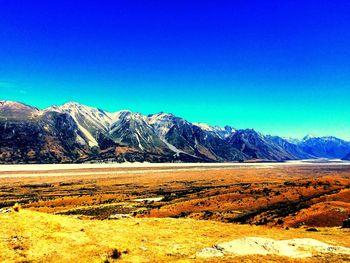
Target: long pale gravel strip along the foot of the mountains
x: 35, y: 170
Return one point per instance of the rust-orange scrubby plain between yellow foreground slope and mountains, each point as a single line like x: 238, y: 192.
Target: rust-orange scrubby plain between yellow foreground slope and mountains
x: 283, y: 196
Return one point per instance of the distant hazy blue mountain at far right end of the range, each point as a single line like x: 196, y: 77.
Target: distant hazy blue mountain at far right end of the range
x: 326, y: 147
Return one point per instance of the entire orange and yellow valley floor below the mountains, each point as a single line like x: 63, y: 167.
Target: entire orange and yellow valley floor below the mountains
x: 174, y: 212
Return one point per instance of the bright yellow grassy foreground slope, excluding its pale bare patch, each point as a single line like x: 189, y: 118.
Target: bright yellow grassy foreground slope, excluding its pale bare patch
x: 29, y: 236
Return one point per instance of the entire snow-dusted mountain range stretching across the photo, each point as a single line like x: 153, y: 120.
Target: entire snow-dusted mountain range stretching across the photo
x: 78, y: 133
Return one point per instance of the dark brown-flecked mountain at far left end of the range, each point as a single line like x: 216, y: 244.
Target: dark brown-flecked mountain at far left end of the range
x: 28, y: 135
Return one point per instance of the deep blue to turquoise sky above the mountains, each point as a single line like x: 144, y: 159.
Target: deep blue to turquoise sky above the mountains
x: 280, y: 67
